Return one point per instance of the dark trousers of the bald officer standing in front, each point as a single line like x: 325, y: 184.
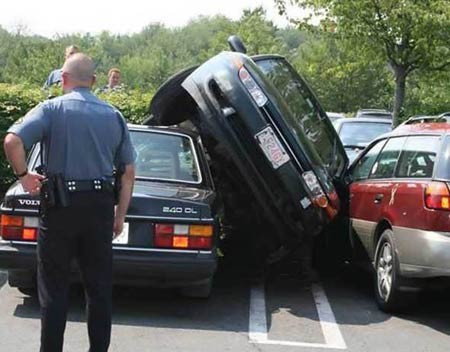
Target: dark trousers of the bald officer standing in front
x: 81, y: 231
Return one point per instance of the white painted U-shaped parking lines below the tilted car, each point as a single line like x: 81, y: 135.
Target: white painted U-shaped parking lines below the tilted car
x: 258, y: 323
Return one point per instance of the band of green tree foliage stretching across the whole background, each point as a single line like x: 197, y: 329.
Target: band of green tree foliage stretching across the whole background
x: 343, y: 61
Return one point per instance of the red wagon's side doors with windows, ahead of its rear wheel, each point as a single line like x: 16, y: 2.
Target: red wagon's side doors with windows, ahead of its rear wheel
x: 370, y: 192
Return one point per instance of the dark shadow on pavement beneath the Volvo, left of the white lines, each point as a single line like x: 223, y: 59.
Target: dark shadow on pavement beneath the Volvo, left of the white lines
x: 226, y: 309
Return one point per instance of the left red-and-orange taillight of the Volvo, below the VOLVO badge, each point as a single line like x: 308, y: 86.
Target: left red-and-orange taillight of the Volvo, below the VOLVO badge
x: 19, y: 228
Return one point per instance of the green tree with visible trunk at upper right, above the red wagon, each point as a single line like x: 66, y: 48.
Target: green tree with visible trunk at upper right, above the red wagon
x: 412, y: 35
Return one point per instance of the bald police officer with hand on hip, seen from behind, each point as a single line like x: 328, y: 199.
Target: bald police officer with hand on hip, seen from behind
x: 82, y: 138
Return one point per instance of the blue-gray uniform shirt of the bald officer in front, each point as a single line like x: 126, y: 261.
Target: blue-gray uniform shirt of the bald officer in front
x: 83, y: 137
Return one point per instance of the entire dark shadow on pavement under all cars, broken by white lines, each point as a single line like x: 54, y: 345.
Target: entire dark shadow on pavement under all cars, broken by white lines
x: 349, y: 292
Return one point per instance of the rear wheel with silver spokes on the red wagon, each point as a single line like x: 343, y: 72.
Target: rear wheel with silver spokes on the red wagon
x: 387, y: 279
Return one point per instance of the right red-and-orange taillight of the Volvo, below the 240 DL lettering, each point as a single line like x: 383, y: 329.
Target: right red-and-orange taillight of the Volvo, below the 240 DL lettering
x: 183, y: 236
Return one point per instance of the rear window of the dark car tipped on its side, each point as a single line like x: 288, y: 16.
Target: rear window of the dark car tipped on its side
x: 304, y: 120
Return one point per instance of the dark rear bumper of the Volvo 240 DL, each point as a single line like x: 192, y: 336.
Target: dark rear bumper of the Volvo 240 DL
x: 137, y: 266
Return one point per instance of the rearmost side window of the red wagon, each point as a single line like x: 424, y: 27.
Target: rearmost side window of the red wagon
x: 418, y: 157
